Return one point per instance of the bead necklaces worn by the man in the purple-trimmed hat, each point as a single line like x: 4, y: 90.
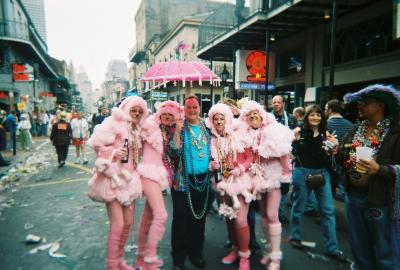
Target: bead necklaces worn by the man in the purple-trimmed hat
x: 374, y: 141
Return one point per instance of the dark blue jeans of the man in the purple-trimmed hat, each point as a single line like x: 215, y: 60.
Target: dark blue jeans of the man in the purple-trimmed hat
x: 372, y: 234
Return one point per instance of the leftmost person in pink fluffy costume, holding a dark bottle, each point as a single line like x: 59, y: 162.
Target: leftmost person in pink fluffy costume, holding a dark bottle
x: 116, y: 183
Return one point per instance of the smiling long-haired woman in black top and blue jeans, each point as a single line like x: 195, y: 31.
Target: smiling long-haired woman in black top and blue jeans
x: 311, y: 159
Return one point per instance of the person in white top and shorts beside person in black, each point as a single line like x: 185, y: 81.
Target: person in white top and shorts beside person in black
x: 80, y: 133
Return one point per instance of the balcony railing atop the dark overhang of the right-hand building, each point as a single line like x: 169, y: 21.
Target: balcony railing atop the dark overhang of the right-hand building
x: 229, y: 16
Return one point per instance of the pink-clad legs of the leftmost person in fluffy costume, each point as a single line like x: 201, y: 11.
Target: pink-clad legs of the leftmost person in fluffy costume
x: 121, y: 218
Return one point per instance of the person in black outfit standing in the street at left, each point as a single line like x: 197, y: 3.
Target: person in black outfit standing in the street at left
x: 60, y: 136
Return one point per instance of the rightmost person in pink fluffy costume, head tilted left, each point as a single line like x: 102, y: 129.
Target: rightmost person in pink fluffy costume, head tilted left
x: 271, y: 146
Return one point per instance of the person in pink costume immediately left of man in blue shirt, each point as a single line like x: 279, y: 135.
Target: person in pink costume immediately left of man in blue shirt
x: 156, y: 170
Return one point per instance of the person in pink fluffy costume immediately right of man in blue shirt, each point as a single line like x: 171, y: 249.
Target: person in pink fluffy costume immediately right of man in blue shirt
x: 233, y: 160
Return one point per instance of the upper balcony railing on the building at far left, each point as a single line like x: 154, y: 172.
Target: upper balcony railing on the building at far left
x: 23, y: 31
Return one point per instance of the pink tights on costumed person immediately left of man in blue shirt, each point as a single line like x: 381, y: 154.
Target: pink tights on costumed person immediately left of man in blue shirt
x: 152, y: 223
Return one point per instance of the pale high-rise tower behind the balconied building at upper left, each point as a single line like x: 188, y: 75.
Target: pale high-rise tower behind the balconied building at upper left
x: 35, y: 9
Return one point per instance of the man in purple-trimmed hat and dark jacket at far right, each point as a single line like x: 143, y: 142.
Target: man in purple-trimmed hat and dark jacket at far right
x: 373, y: 186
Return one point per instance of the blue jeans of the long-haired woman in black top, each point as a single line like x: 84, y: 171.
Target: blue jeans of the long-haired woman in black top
x: 301, y: 194
